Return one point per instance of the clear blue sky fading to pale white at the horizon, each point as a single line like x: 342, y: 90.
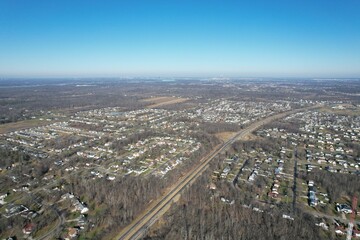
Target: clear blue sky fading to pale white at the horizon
x: 289, y: 38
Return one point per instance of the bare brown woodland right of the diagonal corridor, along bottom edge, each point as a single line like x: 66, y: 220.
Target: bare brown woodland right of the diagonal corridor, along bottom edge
x: 201, y: 215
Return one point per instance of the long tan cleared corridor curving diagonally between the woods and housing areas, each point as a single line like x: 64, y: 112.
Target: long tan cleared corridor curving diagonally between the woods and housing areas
x: 139, y: 226
